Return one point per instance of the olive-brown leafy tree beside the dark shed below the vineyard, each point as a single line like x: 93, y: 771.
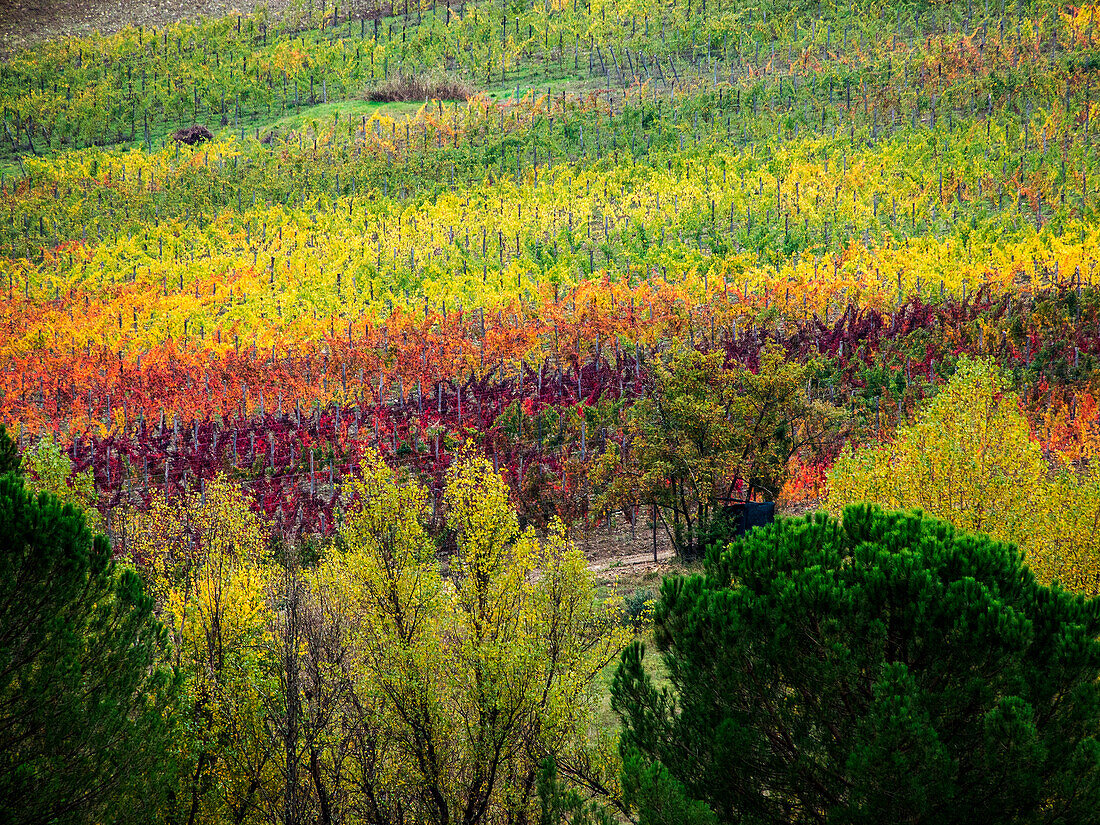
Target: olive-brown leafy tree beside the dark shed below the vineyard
x: 703, y: 428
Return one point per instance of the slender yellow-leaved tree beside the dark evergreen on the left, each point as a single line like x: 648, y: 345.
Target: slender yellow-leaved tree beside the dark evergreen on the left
x: 205, y: 558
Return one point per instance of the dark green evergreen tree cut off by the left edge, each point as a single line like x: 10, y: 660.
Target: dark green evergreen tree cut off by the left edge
x: 86, y: 694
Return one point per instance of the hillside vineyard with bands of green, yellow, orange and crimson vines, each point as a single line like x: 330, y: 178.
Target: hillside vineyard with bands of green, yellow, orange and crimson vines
x: 884, y: 189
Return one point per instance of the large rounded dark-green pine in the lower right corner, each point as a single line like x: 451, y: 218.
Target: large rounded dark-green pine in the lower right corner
x: 885, y: 668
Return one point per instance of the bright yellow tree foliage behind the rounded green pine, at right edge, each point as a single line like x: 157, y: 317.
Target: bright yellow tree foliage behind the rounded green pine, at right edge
x: 971, y: 459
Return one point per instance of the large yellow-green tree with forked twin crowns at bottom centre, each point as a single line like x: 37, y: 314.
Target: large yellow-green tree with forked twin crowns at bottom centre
x: 467, y: 677
